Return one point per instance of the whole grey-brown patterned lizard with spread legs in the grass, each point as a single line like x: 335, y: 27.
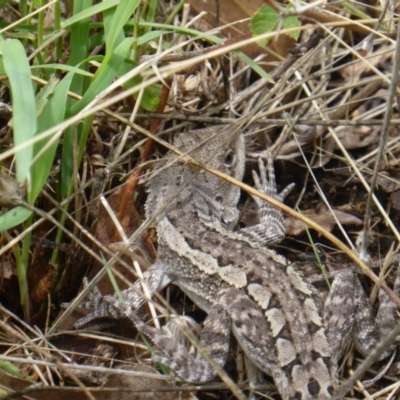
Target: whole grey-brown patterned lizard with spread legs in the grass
x: 245, y: 287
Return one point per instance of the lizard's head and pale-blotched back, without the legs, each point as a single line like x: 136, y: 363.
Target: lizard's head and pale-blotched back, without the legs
x: 271, y: 307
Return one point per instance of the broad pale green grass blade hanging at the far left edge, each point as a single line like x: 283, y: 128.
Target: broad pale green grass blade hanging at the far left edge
x: 17, y: 68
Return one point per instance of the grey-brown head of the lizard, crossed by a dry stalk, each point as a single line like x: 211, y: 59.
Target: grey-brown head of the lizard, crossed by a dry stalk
x: 220, y: 147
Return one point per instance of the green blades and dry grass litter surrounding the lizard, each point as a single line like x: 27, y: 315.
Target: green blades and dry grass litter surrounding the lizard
x: 91, y: 94
